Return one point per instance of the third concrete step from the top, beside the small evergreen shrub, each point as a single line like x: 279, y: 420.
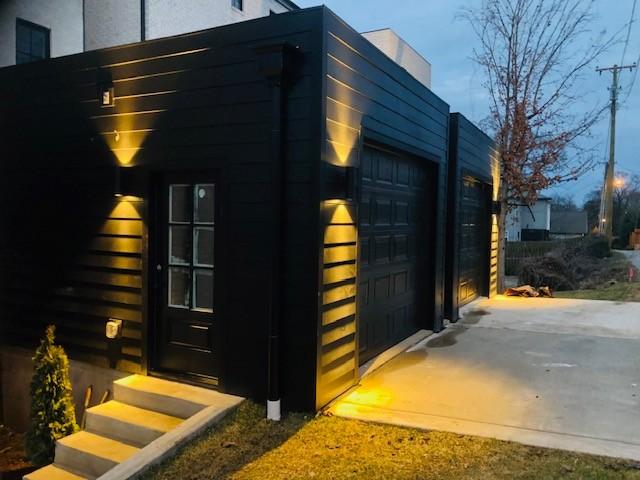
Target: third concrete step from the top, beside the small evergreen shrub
x: 91, y: 454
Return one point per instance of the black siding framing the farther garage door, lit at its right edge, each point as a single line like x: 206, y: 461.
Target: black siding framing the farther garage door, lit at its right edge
x: 471, y: 153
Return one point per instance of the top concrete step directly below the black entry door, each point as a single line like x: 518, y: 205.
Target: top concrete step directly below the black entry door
x: 171, y: 398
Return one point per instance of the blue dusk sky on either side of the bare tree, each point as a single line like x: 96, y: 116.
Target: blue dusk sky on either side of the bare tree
x: 433, y: 27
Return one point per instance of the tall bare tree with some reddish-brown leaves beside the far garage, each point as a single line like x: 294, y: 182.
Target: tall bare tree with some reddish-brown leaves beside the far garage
x: 534, y: 54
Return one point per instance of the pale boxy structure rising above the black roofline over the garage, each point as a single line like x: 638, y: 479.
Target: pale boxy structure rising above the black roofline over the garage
x: 402, y: 53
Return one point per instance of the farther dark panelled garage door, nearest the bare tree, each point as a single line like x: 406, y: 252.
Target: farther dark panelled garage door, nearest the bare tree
x: 474, y: 238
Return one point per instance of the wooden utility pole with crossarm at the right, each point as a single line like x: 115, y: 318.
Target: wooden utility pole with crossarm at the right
x: 605, y: 225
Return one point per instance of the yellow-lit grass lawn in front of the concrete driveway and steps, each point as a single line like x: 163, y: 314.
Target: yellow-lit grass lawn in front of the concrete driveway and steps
x: 245, y: 446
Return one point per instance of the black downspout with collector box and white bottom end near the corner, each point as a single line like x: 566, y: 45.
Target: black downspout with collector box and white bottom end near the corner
x: 273, y: 61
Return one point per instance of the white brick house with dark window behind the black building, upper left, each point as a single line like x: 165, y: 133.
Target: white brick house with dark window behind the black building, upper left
x: 36, y: 29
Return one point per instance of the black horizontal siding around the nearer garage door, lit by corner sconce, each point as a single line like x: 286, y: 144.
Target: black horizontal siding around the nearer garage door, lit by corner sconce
x: 368, y: 96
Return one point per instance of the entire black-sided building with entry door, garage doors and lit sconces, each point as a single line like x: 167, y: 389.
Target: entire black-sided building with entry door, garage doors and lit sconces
x: 261, y: 206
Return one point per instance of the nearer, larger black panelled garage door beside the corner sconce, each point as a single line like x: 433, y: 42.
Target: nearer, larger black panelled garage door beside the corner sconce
x: 393, y: 216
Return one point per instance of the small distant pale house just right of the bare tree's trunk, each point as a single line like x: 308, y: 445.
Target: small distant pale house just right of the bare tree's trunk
x: 529, y: 222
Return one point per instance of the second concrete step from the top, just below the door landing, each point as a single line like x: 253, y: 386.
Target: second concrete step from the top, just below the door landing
x: 126, y: 423
